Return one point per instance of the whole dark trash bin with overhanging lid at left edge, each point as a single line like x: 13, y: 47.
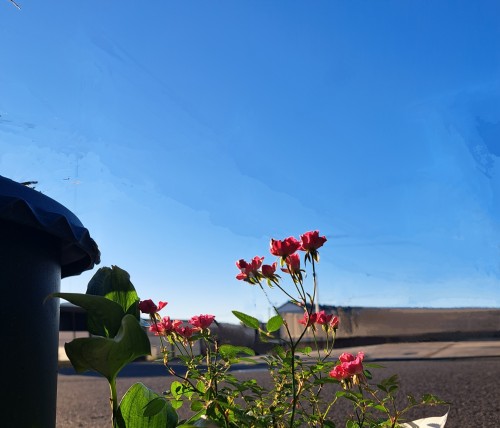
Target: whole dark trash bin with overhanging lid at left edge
x: 40, y: 242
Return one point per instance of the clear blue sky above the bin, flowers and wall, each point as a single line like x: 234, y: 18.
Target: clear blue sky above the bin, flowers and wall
x: 186, y: 134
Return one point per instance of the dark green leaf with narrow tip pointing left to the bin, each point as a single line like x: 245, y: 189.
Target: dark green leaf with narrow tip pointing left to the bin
x: 104, y: 316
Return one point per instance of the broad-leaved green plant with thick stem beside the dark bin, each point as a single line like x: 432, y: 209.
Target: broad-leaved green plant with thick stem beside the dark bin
x: 111, y: 303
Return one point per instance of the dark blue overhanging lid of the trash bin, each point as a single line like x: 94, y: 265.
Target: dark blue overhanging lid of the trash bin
x: 28, y: 207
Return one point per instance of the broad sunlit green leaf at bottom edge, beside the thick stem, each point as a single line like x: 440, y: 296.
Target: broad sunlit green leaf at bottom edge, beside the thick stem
x: 136, y: 400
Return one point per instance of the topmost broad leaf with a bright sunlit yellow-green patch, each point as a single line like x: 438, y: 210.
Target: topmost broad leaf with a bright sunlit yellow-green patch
x: 114, y: 284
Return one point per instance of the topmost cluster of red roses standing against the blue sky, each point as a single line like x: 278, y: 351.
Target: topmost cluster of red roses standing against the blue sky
x: 286, y: 249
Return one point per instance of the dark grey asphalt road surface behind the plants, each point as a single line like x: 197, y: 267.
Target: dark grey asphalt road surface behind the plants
x: 471, y: 385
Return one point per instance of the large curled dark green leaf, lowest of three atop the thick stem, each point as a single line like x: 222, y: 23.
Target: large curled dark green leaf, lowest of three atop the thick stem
x: 108, y: 356
